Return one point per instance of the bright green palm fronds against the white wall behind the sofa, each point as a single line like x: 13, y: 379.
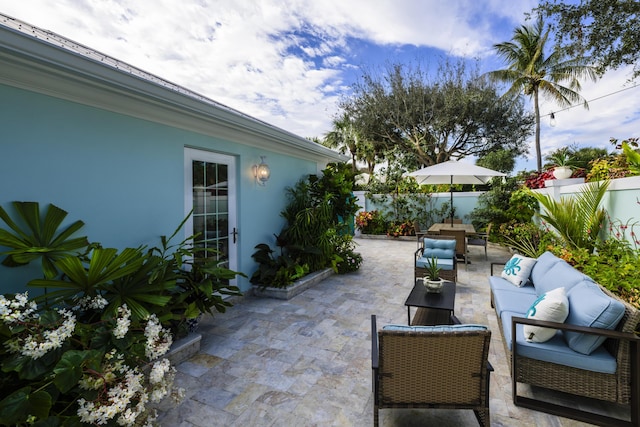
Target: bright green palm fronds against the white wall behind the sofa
x: 577, y: 220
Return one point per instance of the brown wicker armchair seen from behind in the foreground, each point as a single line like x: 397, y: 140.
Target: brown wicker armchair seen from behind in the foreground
x: 431, y: 369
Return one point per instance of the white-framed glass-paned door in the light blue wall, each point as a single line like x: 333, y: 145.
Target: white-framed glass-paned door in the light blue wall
x: 210, y: 191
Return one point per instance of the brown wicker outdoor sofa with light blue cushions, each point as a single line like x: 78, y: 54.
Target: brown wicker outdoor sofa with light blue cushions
x: 593, y: 352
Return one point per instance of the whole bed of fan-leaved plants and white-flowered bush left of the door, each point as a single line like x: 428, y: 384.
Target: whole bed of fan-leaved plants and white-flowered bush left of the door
x: 88, y: 351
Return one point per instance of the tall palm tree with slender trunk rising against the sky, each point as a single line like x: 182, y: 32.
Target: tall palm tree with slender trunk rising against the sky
x: 531, y: 72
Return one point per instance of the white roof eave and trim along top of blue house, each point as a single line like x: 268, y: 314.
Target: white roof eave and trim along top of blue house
x: 42, y: 61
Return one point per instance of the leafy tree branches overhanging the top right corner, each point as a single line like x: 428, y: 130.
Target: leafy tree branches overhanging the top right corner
x: 606, y: 30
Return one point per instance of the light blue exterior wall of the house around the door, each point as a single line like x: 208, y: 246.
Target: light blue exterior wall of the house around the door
x: 124, y: 176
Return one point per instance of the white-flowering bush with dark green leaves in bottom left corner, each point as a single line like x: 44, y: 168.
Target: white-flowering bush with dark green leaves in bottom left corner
x: 60, y: 367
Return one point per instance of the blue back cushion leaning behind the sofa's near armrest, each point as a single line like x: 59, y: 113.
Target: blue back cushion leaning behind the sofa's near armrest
x: 589, y: 306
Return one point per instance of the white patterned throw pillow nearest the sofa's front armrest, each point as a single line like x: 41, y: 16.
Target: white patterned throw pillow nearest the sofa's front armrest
x: 552, y: 306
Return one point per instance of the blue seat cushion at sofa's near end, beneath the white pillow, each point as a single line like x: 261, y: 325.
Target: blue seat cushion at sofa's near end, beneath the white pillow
x: 556, y: 350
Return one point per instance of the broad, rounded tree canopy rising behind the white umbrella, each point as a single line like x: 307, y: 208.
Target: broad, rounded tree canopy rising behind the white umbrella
x: 423, y: 122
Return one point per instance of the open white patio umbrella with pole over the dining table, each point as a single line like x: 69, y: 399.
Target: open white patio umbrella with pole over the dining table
x: 453, y: 172
